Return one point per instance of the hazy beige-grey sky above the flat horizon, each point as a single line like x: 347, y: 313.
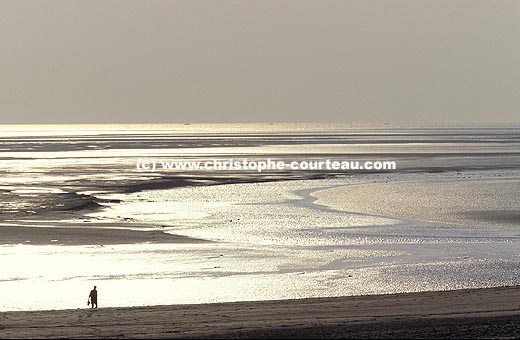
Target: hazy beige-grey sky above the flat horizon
x: 259, y: 61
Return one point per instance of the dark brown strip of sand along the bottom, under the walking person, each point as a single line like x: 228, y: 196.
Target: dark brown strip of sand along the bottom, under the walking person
x: 477, y: 313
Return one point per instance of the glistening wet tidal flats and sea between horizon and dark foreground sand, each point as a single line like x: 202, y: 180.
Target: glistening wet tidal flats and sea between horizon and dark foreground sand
x: 447, y: 218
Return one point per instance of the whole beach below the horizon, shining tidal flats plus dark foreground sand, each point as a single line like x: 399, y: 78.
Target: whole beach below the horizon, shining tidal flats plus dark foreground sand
x: 315, y: 249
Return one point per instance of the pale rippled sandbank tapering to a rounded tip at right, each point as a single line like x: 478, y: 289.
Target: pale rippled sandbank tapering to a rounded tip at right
x: 448, y: 200
